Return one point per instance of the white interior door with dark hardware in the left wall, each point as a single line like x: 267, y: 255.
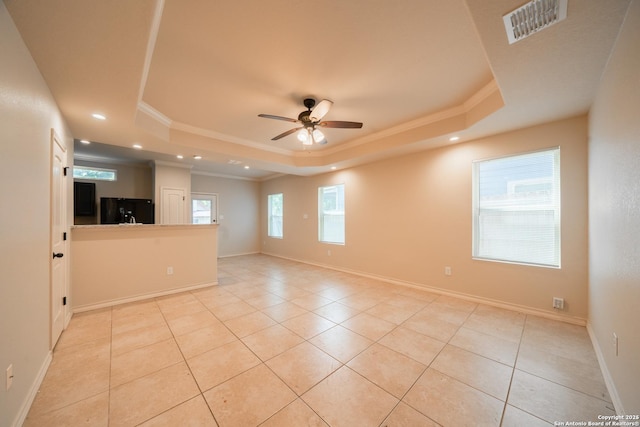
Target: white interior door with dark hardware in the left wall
x: 58, y: 259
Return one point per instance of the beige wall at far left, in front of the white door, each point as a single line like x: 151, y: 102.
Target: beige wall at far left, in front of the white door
x: 27, y: 115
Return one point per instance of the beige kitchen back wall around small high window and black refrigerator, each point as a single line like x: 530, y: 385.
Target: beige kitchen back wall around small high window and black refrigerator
x: 134, y: 181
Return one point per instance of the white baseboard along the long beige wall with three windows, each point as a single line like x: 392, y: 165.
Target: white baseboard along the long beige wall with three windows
x: 467, y: 297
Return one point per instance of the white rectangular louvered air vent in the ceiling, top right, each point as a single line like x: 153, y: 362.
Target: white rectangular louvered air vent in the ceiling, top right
x: 533, y: 17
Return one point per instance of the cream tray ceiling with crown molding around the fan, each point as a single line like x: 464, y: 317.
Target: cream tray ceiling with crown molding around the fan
x: 190, y: 77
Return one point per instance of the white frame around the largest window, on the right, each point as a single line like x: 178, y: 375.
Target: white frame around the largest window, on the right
x: 554, y: 205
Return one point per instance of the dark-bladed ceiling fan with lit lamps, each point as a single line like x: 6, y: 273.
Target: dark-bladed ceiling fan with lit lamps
x: 308, y: 134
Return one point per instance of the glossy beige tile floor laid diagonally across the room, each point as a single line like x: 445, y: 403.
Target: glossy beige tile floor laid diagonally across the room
x: 279, y: 343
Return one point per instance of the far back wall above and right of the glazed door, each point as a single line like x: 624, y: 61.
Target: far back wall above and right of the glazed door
x: 238, y: 210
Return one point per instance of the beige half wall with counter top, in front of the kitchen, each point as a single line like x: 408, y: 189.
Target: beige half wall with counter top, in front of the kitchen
x: 114, y: 264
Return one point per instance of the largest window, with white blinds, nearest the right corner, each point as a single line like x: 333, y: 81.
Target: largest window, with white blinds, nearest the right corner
x: 516, y: 208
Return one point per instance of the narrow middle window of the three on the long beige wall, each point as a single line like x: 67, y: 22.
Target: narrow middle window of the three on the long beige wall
x: 331, y: 214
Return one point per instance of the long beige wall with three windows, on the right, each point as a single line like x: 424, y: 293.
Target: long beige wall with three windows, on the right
x: 407, y: 218
